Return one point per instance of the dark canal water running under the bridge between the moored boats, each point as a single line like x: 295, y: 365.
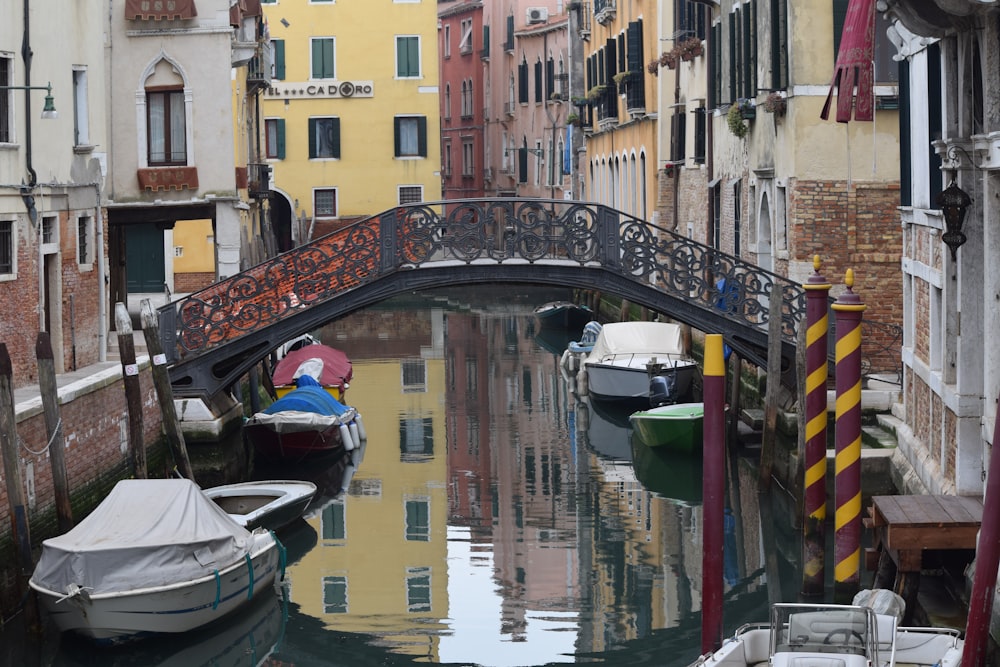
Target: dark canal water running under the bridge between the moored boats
x: 491, y: 519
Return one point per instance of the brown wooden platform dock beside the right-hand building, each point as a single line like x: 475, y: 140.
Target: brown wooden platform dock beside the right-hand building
x: 908, y: 529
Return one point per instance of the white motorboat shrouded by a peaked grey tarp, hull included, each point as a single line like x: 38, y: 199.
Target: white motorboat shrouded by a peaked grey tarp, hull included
x: 156, y: 556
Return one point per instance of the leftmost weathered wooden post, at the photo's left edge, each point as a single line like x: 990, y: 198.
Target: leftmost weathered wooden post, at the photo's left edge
x: 12, y: 473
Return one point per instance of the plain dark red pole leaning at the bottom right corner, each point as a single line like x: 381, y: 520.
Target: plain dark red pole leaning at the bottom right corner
x: 977, y: 626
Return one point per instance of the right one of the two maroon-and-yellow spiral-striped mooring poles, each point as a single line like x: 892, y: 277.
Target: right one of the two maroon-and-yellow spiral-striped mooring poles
x: 847, y: 519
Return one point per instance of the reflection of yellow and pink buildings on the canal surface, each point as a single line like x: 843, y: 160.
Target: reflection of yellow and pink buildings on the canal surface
x: 496, y: 519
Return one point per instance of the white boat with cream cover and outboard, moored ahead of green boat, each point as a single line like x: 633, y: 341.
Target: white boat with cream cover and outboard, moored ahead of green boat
x: 628, y: 356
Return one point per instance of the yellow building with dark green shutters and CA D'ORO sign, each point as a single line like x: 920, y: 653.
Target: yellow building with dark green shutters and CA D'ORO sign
x: 351, y: 117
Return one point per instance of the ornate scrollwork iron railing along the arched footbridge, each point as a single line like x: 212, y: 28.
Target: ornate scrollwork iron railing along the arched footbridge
x: 466, y: 235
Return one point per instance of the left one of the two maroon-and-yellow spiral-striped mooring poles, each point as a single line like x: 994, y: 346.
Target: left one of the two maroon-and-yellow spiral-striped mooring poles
x: 814, y: 523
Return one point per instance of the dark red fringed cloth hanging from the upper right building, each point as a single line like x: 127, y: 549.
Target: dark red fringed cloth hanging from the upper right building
x: 854, y: 73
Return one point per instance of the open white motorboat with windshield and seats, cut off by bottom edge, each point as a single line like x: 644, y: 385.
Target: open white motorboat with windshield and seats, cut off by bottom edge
x: 828, y: 635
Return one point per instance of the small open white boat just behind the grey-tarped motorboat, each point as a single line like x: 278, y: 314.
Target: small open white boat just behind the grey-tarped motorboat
x: 270, y: 504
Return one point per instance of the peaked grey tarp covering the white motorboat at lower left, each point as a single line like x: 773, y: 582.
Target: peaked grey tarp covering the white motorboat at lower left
x: 146, y: 533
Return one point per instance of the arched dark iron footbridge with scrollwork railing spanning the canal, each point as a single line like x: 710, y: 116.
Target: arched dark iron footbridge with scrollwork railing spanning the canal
x: 213, y: 337
